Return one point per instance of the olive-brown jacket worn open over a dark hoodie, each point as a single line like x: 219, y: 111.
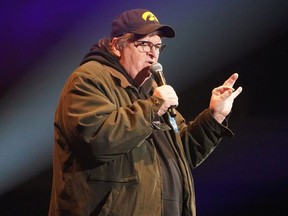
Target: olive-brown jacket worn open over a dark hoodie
x: 104, y: 161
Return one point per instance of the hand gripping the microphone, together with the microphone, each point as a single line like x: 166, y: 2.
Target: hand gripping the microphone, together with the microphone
x: 164, y: 91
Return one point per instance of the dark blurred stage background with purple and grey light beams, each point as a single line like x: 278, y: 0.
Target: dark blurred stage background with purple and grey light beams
x: 42, y: 42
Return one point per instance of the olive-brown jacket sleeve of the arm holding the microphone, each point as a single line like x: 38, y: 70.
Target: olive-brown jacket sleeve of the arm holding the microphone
x: 101, y: 121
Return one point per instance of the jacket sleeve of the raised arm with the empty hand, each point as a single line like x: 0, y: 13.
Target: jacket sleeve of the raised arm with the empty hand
x: 201, y: 136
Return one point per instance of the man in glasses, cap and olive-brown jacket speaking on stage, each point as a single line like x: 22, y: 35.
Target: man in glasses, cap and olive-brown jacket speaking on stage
x: 117, y: 150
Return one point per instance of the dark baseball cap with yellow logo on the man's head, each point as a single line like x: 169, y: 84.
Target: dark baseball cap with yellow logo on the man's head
x: 141, y: 22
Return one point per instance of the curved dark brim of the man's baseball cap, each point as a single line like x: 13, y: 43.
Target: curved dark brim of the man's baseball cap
x: 165, y: 30
